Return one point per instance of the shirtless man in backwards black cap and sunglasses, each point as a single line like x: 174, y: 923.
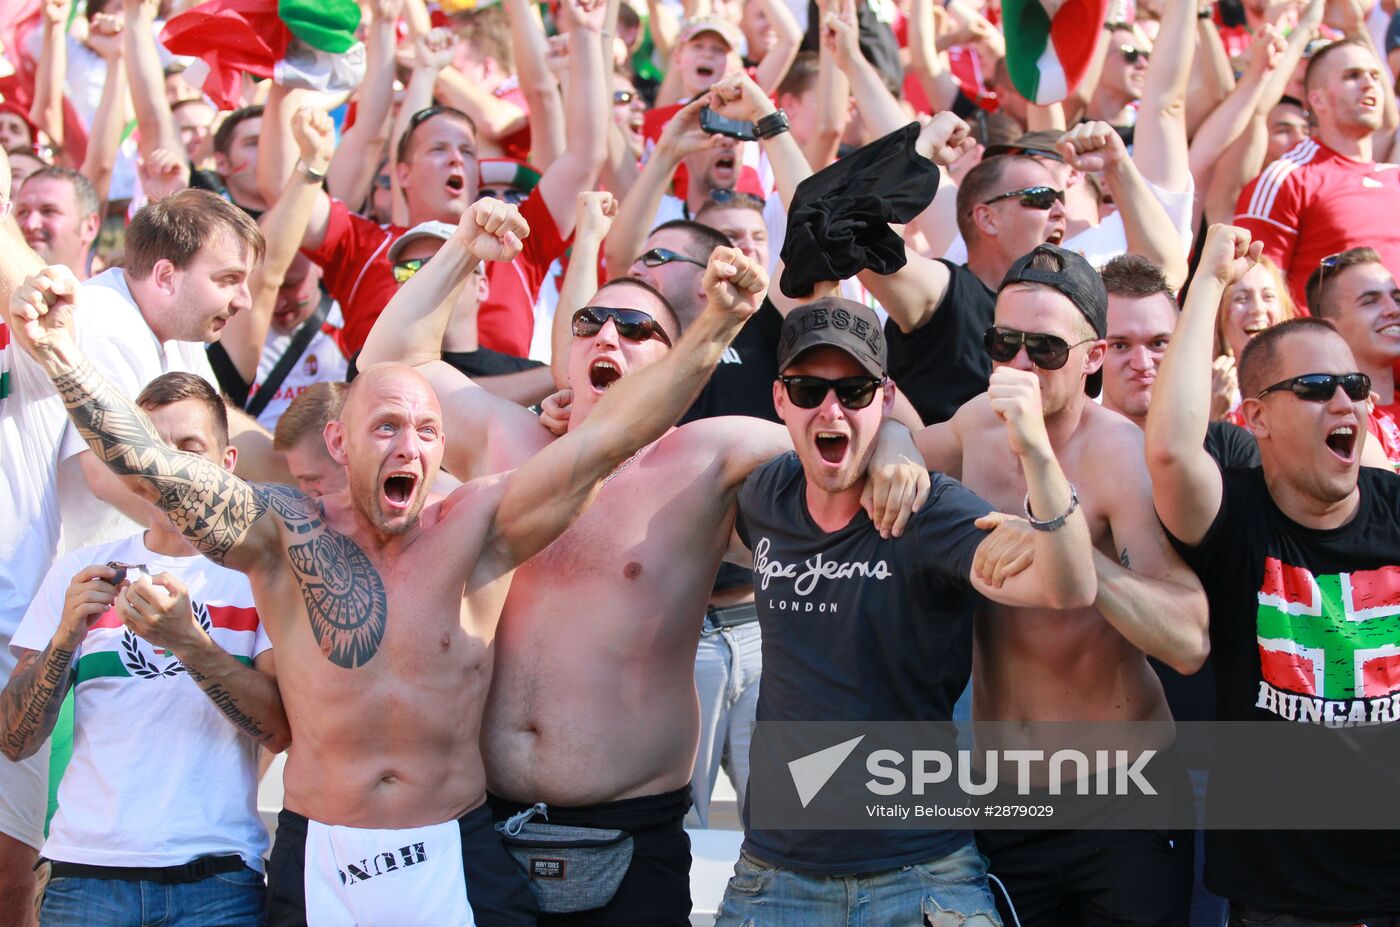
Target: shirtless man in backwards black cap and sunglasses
x: 1084, y: 664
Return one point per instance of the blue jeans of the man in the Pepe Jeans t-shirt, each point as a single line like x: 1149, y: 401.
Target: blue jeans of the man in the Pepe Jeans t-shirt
x: 947, y: 893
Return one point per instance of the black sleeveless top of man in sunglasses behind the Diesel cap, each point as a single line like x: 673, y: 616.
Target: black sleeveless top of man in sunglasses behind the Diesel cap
x: 943, y: 365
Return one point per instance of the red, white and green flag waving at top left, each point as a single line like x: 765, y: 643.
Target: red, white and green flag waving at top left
x: 304, y: 44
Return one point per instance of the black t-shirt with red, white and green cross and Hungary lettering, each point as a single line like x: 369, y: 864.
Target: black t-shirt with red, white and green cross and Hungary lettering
x: 1290, y: 648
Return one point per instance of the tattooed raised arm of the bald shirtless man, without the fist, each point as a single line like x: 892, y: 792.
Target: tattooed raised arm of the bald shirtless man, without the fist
x: 209, y: 505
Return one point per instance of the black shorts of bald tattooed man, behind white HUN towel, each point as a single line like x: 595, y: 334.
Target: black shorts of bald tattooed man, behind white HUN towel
x: 498, y: 891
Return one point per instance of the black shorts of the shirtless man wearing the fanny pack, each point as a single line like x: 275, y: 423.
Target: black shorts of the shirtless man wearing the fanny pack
x: 656, y: 891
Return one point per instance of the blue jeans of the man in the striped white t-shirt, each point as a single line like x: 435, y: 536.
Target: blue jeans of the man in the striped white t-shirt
x: 229, y: 900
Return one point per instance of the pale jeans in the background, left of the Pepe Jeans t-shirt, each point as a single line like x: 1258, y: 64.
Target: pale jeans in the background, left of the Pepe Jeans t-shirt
x: 729, y: 666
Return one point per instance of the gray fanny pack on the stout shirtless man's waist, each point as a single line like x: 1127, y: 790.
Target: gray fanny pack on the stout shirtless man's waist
x: 569, y: 869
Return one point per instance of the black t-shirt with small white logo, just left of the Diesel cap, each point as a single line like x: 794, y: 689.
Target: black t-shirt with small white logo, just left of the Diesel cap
x: 743, y: 383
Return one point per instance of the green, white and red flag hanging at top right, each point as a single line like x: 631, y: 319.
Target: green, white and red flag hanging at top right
x: 1049, y: 44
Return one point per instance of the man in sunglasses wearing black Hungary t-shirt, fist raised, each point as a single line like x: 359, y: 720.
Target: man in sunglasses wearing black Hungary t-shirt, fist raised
x: 1268, y: 543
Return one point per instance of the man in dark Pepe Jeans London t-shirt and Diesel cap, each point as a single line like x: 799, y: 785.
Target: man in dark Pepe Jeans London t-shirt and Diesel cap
x: 884, y: 634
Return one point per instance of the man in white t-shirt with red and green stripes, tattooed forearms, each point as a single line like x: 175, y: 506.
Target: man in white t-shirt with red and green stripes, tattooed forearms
x: 159, y: 646
